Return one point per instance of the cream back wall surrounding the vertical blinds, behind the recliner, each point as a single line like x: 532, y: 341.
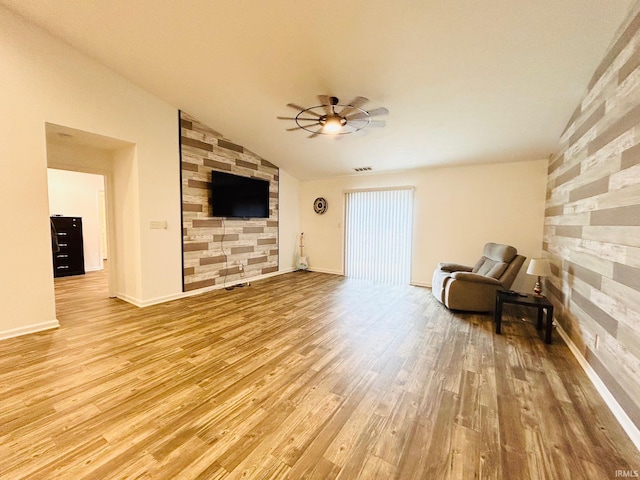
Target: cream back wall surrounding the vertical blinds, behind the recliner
x: 456, y: 211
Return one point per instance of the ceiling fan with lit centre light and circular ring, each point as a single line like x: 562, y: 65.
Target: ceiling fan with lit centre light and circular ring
x: 334, y: 118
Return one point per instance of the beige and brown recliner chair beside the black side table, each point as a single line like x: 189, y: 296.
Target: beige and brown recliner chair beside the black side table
x: 473, y: 289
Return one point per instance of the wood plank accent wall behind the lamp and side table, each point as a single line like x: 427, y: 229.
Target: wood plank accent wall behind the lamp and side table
x: 592, y: 225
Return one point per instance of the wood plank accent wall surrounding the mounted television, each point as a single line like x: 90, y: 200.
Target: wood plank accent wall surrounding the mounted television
x: 214, y: 248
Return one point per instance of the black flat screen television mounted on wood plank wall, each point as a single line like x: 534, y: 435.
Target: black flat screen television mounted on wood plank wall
x: 235, y: 196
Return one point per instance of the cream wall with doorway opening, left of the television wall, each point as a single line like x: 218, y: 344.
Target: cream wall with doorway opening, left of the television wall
x: 44, y: 80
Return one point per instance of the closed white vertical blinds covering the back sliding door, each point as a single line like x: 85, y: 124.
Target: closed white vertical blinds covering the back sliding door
x: 378, y: 228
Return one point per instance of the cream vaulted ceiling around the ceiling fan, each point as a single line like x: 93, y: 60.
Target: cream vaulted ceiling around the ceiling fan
x: 465, y: 81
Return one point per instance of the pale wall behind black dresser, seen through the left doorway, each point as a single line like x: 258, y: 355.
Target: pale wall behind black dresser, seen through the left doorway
x: 76, y: 194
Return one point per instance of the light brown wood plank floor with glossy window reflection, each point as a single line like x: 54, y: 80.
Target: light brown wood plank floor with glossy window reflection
x: 303, y: 375
